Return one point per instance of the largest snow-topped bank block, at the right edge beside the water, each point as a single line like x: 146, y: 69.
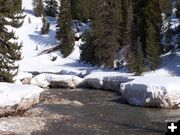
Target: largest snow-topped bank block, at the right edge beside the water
x: 163, y: 92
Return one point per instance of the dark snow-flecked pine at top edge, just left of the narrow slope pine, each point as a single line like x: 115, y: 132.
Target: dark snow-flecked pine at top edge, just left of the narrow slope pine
x: 51, y: 8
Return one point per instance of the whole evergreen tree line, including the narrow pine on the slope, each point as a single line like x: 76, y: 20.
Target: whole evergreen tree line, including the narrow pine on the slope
x: 131, y: 28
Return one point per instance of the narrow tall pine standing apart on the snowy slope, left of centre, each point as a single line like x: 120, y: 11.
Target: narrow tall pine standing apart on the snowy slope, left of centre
x: 64, y: 32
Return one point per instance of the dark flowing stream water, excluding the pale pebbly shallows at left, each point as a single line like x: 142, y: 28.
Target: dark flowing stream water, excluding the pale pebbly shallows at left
x: 104, y: 113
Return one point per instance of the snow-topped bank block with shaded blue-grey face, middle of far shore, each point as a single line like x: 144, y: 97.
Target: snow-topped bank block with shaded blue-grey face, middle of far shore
x: 106, y: 80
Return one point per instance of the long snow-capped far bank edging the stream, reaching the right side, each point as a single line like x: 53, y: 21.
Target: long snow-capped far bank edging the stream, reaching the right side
x: 156, y: 91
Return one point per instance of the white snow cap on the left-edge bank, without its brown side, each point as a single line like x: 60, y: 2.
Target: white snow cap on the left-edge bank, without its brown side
x: 12, y: 94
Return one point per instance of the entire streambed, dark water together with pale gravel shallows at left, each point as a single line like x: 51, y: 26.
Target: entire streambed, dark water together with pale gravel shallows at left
x: 89, y: 112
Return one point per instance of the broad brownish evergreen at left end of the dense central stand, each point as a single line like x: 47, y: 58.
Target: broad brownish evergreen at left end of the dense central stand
x: 104, y: 38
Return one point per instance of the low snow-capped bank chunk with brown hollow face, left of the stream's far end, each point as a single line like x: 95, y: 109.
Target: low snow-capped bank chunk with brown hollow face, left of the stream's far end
x: 56, y: 81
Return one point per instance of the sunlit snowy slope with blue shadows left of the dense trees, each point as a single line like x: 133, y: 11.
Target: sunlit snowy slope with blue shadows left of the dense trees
x: 34, y: 43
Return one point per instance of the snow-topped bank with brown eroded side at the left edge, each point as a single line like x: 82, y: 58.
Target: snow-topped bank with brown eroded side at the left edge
x: 17, y: 98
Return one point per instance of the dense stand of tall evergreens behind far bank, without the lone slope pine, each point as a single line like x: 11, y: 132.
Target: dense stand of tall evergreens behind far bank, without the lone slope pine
x: 132, y: 26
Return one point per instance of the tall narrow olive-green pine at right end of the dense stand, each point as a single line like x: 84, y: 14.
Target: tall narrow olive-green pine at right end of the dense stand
x: 153, y: 19
